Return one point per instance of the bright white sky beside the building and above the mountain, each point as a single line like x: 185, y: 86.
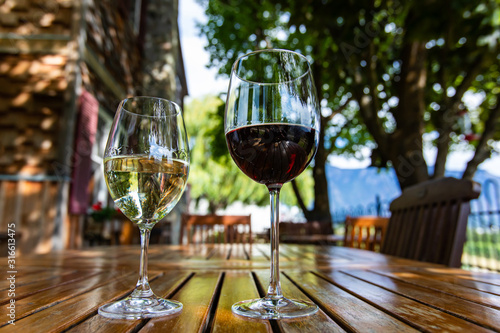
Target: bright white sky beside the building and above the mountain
x: 203, y: 81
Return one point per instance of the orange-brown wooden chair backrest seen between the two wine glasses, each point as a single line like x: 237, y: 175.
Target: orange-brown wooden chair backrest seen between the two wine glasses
x: 217, y: 228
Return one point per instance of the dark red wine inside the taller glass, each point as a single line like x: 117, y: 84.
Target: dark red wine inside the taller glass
x: 272, y: 153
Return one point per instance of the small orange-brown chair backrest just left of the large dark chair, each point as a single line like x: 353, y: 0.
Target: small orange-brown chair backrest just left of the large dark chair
x: 365, y: 232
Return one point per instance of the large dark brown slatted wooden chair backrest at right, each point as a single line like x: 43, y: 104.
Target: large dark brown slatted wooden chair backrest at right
x: 429, y: 221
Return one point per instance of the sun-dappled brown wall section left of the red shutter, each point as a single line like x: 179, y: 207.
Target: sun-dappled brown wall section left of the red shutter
x: 33, y: 57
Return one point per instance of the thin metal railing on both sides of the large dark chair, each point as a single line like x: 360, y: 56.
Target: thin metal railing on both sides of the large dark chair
x: 482, y: 246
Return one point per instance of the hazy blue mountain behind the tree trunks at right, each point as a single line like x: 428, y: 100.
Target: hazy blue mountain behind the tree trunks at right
x: 355, y: 190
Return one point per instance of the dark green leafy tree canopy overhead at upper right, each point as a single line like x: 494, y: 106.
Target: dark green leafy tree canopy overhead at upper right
x: 357, y: 46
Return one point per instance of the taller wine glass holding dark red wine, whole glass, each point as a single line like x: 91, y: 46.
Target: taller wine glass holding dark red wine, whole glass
x: 272, y: 131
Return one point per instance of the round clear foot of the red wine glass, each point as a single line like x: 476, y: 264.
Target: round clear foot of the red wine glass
x: 267, y: 308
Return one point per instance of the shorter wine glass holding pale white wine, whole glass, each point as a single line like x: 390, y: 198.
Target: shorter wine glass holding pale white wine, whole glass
x: 146, y: 166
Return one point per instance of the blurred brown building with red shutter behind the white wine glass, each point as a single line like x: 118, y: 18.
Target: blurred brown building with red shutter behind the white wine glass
x: 64, y: 67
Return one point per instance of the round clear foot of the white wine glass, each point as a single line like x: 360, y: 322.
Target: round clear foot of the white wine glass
x: 140, y: 308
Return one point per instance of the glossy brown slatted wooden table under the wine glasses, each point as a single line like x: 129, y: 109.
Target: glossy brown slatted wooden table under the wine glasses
x: 356, y: 290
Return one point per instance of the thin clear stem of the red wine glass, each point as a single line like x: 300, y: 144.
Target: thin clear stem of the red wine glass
x: 274, y: 291
